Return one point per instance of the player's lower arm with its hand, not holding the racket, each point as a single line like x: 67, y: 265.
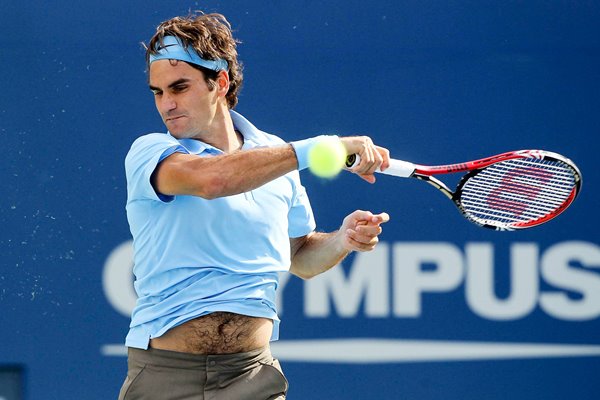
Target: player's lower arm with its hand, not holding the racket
x: 317, y: 252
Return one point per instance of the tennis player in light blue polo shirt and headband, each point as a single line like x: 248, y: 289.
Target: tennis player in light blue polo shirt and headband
x: 217, y: 210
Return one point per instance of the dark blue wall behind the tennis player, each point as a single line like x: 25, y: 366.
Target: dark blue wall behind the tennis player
x: 434, y: 81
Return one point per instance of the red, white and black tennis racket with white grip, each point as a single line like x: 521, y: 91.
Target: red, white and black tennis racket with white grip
x: 514, y: 190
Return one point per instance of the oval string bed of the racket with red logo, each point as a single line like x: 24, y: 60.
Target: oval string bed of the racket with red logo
x: 517, y: 191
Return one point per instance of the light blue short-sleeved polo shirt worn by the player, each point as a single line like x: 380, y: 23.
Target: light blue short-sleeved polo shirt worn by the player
x: 194, y: 256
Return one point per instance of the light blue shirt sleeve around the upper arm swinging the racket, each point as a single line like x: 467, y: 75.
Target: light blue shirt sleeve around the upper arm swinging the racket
x: 141, y: 161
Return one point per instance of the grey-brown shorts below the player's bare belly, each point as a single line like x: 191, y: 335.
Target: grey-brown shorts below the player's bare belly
x: 162, y: 375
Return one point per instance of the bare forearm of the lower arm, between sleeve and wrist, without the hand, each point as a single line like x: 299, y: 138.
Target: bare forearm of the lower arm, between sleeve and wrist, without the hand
x: 317, y: 253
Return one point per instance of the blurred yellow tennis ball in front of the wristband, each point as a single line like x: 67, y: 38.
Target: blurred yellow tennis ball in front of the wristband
x: 326, y: 158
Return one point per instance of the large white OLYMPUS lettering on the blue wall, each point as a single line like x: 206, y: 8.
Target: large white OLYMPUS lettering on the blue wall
x: 420, y: 268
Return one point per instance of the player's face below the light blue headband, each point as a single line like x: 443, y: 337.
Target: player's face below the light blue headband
x: 182, y: 98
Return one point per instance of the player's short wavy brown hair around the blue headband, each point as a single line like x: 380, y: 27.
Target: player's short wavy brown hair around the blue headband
x: 210, y: 35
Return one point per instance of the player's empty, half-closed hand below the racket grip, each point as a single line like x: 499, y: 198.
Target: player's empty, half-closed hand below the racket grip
x: 360, y: 230
